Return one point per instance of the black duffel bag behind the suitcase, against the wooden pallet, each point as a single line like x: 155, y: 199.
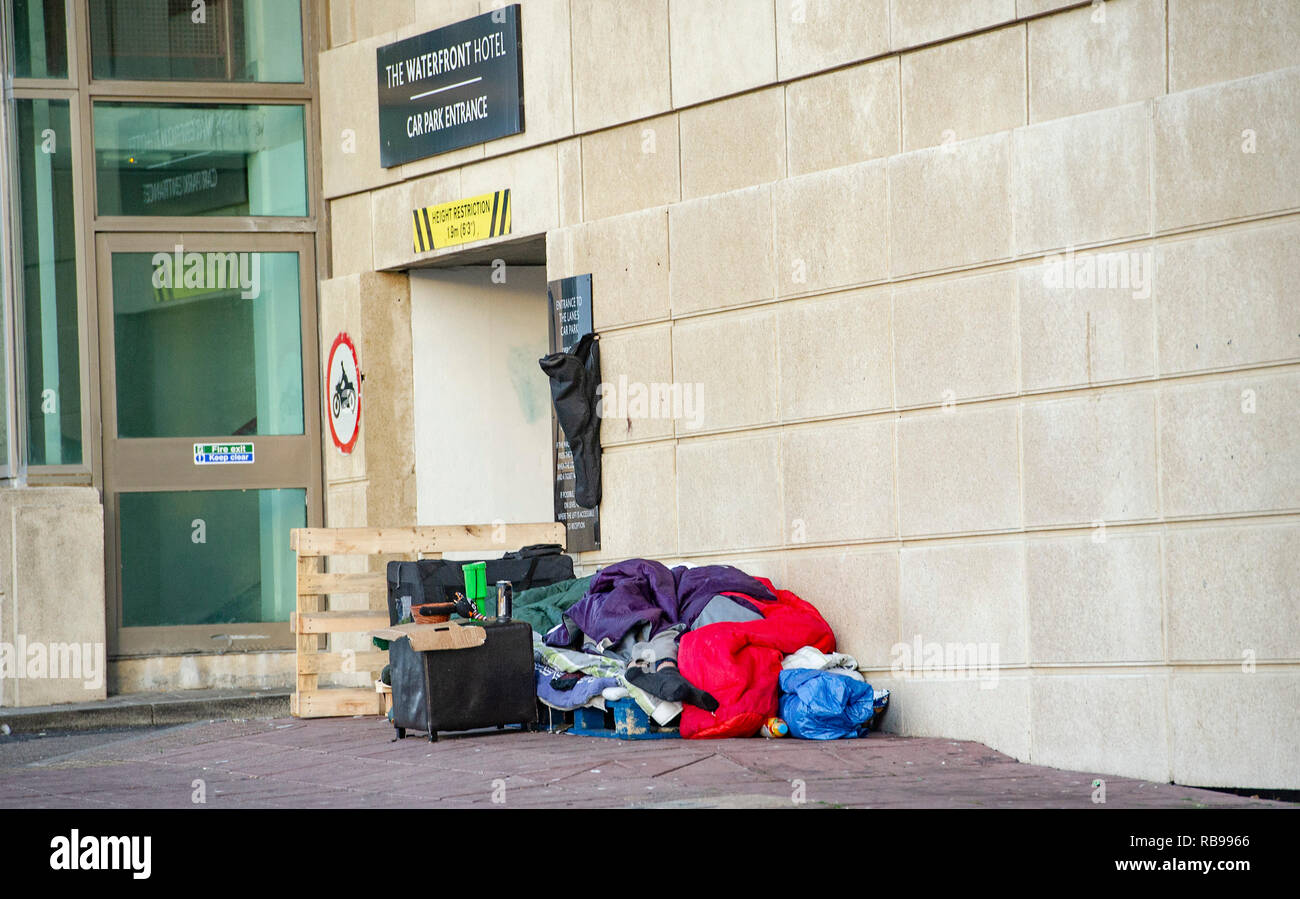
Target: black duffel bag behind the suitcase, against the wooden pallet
x: 440, y: 580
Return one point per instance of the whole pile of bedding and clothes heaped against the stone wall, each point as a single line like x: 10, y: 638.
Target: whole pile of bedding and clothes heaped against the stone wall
x: 701, y: 646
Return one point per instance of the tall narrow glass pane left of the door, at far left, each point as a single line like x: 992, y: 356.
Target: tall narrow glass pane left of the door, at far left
x: 47, y: 219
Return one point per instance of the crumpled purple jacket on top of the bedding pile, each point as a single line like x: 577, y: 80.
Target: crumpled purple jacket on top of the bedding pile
x: 638, y: 590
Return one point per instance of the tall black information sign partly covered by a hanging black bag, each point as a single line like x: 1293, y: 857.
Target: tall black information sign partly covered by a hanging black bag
x: 571, y: 319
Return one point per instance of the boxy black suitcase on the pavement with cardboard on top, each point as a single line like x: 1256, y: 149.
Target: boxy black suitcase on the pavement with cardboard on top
x: 482, y: 687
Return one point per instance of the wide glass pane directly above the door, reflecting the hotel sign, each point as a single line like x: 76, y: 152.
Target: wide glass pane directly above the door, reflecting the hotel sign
x: 201, y: 160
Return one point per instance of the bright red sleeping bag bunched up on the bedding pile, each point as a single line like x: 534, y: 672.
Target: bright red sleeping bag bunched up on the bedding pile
x: 739, y: 663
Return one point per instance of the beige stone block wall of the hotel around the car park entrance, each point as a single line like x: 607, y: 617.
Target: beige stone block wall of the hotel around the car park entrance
x: 995, y: 311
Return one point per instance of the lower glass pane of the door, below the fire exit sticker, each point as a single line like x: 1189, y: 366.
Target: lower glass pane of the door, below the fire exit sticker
x: 213, y: 557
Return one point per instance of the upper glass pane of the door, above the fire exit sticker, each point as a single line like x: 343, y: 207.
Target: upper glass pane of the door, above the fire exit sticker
x: 201, y: 358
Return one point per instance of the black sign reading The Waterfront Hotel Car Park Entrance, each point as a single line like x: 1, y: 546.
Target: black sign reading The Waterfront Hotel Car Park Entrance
x: 453, y: 88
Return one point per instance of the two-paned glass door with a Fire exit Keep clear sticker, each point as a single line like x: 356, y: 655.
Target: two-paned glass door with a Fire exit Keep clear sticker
x: 211, y: 436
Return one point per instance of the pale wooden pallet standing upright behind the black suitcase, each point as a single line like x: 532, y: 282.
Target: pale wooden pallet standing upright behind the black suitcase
x: 314, y: 622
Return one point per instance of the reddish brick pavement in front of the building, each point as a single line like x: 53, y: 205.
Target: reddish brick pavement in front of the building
x: 350, y: 763
